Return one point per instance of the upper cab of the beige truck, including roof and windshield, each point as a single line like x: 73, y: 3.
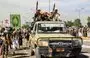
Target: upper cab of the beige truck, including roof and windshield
x: 49, y: 26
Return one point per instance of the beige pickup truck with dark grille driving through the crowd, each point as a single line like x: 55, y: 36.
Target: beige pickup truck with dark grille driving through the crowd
x: 48, y: 39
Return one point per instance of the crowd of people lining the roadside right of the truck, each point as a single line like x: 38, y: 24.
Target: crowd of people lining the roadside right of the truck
x: 81, y: 32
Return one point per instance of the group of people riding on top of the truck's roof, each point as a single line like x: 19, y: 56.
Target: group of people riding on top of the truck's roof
x: 46, y: 16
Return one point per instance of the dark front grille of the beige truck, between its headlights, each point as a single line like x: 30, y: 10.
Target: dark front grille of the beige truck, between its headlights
x: 60, y: 43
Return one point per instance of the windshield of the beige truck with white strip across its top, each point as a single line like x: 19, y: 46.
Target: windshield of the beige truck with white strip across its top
x: 50, y: 27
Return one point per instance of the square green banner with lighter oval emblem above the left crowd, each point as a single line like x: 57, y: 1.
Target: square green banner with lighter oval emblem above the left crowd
x: 15, y: 20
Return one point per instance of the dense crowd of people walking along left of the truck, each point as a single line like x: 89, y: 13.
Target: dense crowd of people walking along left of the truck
x: 12, y: 39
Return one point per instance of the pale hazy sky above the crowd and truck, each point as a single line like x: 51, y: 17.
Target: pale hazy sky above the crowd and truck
x: 69, y: 9
